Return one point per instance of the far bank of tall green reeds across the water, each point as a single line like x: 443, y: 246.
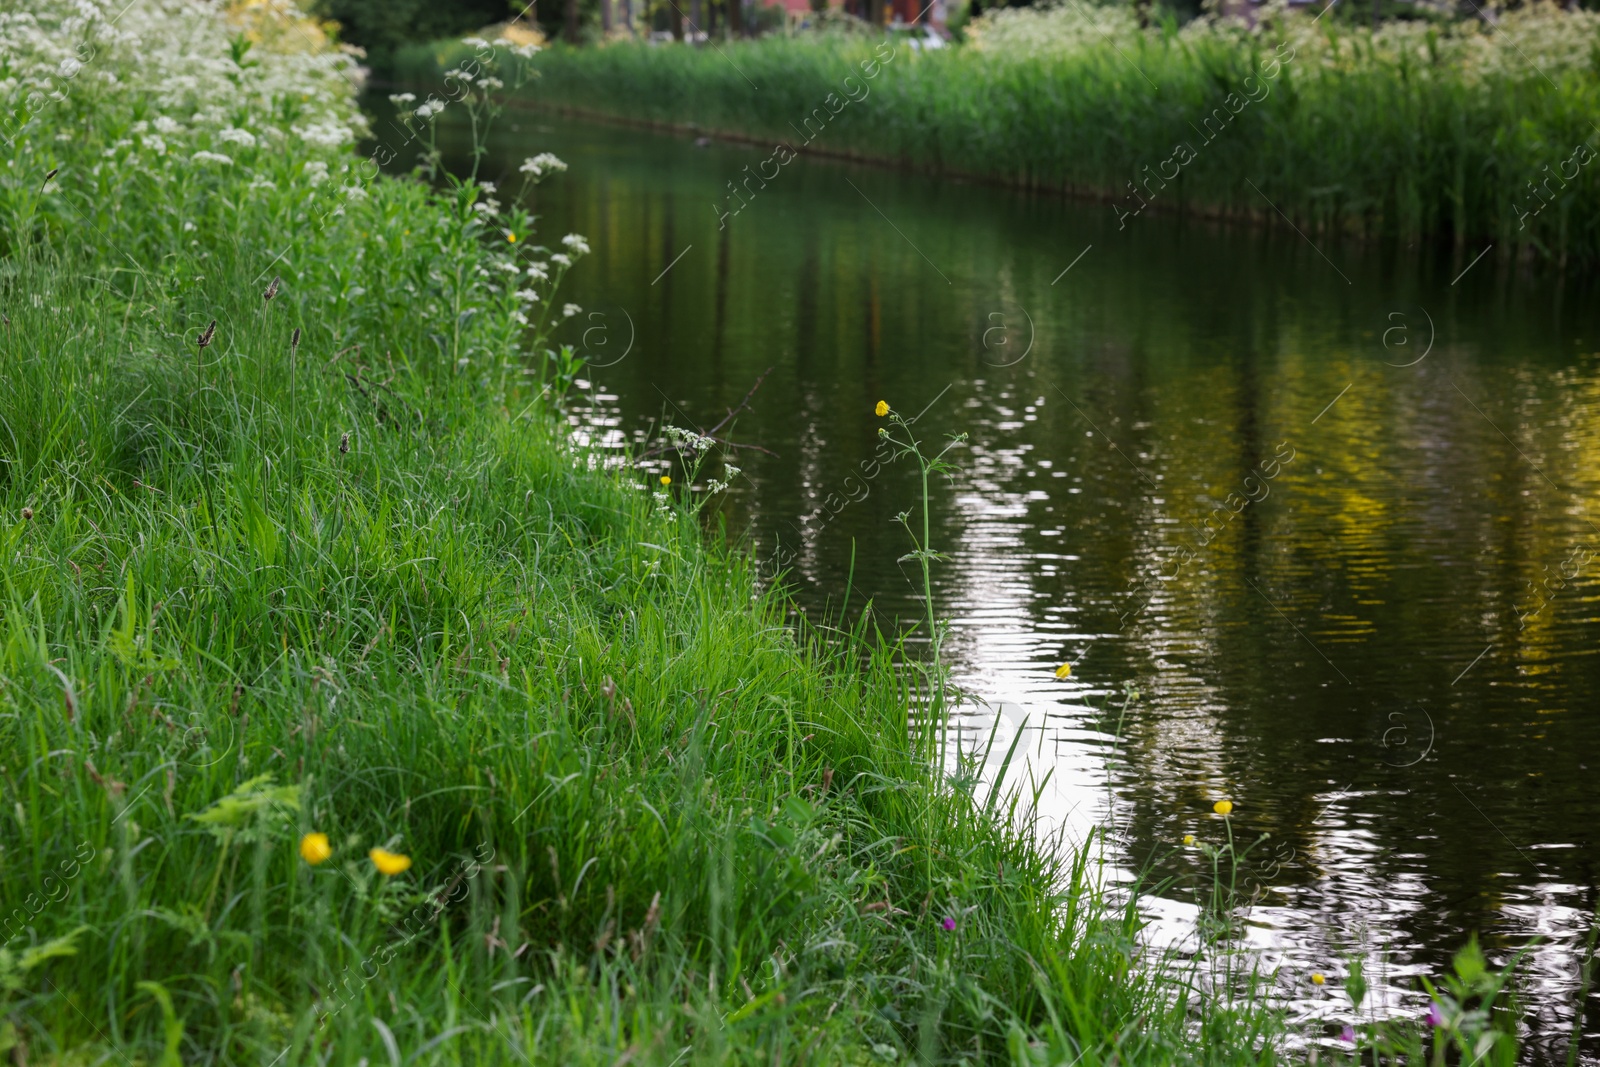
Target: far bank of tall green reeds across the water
x: 1460, y: 132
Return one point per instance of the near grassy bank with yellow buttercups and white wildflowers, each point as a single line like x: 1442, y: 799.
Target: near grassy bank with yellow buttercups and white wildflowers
x: 348, y: 716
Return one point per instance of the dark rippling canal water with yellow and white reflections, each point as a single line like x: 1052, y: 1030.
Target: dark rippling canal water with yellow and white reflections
x: 1393, y: 462
